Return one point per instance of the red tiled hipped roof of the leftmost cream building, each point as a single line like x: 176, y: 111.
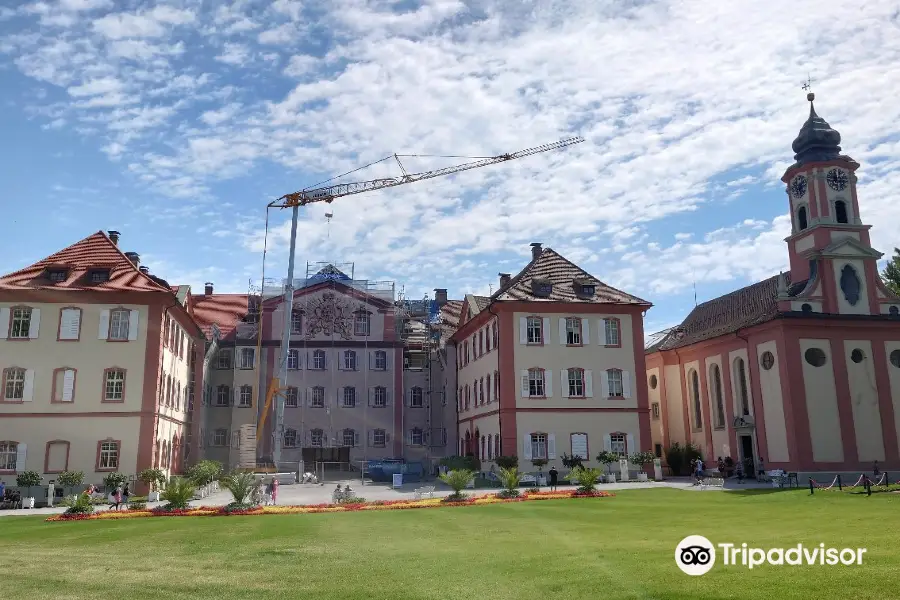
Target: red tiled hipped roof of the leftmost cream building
x: 96, y: 251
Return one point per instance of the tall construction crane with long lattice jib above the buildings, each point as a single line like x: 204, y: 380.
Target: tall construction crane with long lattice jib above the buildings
x: 328, y: 194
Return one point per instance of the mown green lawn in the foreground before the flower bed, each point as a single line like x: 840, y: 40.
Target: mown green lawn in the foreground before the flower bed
x: 621, y: 547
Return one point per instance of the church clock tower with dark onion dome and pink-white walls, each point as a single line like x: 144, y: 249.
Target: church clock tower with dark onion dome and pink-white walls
x: 834, y: 268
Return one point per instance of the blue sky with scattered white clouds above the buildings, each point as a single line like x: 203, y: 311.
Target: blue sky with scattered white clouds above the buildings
x: 176, y: 121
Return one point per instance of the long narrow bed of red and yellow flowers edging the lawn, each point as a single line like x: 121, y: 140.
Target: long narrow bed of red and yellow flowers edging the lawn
x: 223, y: 511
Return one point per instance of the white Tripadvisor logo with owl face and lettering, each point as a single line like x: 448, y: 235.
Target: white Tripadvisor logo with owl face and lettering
x: 696, y: 555
